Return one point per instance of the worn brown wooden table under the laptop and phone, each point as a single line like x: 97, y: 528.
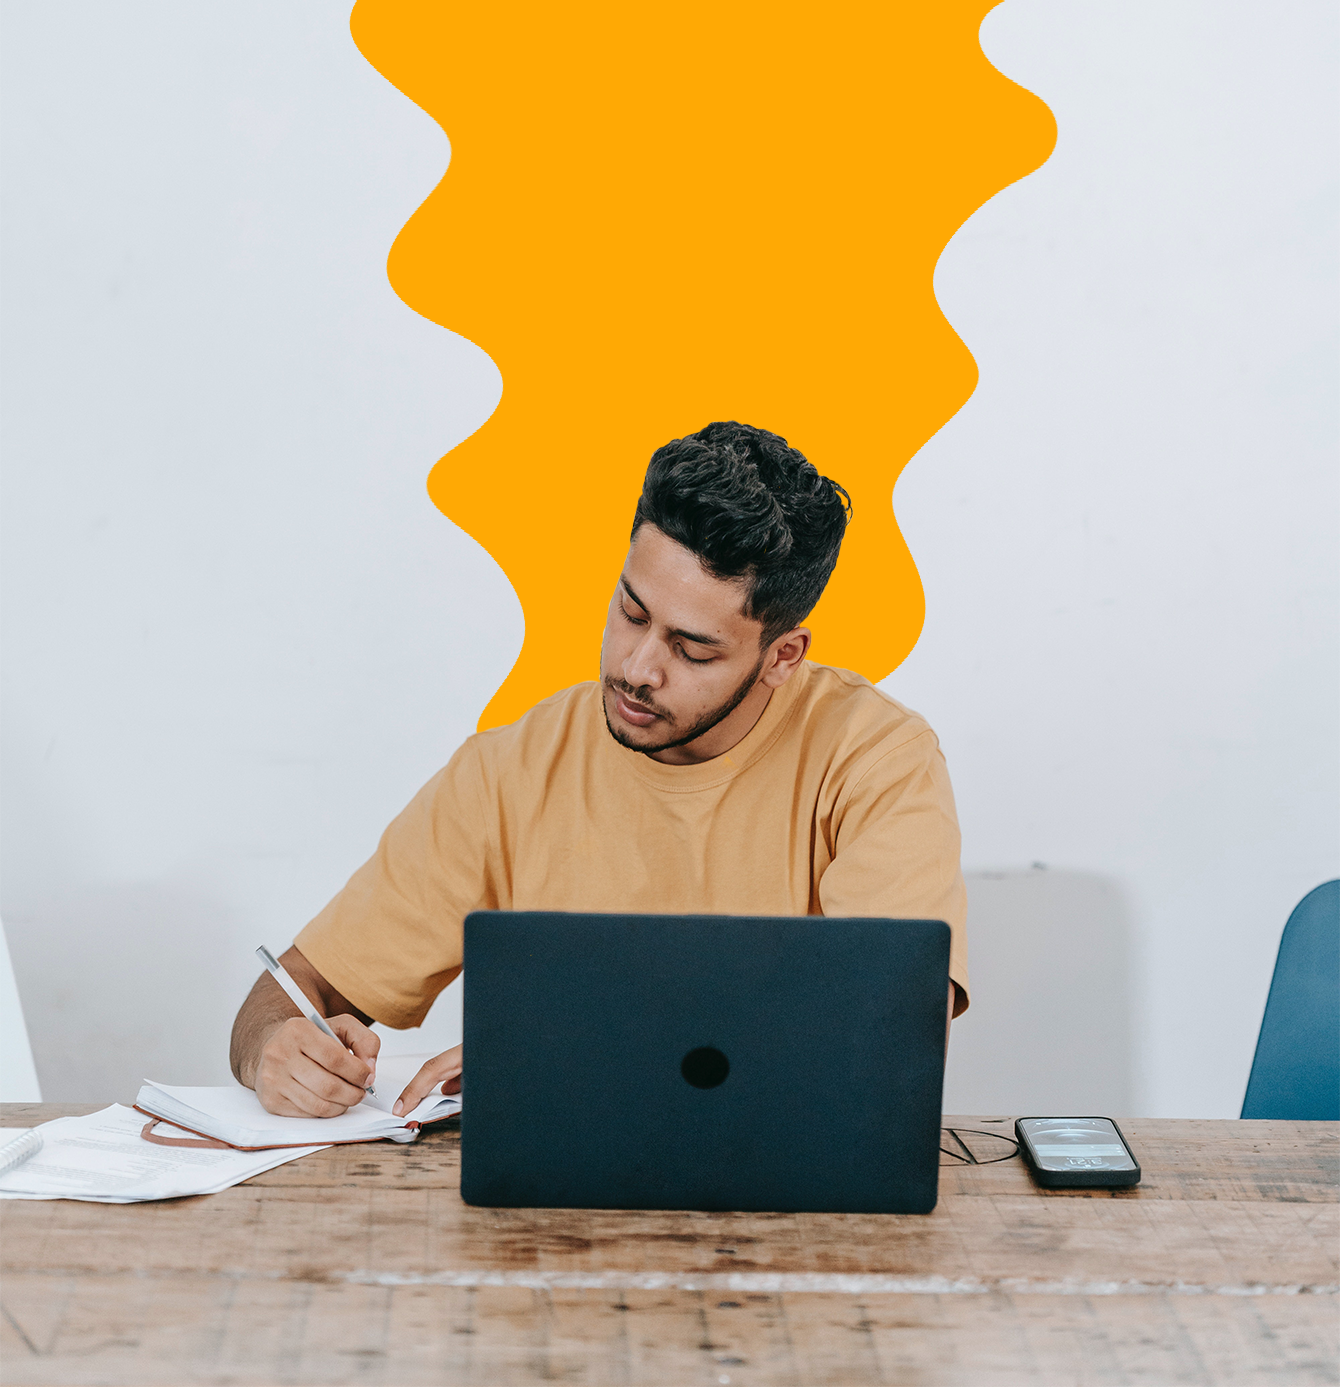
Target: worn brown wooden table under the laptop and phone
x: 363, y: 1266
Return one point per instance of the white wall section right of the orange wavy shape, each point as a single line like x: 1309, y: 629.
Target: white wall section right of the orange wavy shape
x: 1128, y: 540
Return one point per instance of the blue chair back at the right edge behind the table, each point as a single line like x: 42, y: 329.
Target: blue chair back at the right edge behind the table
x: 1296, y: 1073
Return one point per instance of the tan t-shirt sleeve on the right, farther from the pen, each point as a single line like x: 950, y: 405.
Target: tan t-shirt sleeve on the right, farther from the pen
x: 897, y: 848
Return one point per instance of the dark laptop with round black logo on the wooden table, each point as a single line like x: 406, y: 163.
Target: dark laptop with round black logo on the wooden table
x: 703, y: 1062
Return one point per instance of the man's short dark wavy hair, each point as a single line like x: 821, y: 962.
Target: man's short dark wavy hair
x: 750, y: 506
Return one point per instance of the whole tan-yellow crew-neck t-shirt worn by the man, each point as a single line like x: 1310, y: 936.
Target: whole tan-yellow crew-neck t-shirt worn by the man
x: 836, y: 804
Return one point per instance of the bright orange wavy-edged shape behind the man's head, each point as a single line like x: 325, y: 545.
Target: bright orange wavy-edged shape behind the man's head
x: 662, y: 216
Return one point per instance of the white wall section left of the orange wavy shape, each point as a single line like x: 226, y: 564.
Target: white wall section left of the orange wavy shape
x: 238, y: 633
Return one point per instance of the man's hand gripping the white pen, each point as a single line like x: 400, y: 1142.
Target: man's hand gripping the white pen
x: 304, y: 1074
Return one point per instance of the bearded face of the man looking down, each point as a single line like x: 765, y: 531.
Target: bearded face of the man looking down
x: 680, y: 658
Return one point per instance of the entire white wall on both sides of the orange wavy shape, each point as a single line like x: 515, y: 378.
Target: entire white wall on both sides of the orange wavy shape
x: 238, y: 635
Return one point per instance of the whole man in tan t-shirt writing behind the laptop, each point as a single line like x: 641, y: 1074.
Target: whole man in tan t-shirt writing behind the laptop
x: 714, y: 770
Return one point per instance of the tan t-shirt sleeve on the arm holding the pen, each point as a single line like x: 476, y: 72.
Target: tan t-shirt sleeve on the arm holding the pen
x: 392, y: 940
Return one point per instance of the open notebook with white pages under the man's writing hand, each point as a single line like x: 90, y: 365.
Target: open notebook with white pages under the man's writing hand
x: 235, y: 1117
